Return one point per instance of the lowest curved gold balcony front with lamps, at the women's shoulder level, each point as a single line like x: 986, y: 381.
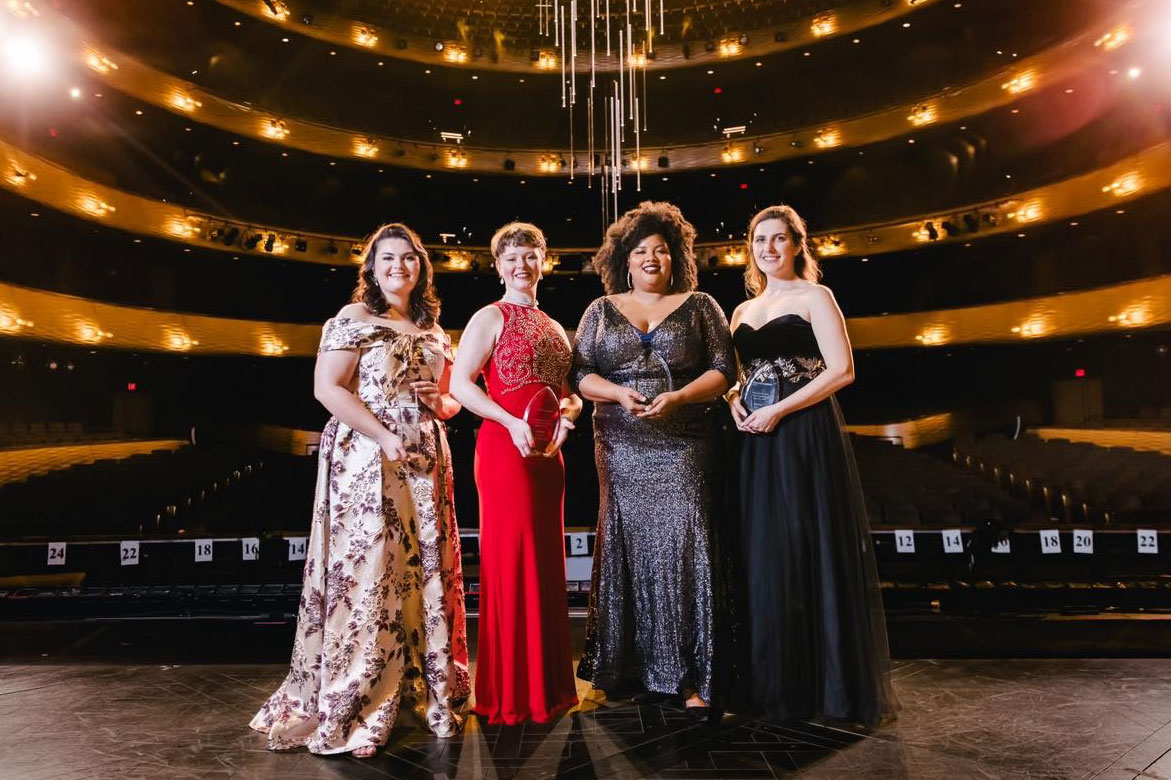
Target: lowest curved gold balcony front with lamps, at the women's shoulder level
x: 52, y: 317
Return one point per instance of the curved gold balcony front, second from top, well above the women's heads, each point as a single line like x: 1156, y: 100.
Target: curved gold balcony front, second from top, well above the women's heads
x: 1054, y: 66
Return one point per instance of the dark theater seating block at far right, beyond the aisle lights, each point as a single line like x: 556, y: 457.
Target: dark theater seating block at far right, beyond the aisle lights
x: 1077, y: 483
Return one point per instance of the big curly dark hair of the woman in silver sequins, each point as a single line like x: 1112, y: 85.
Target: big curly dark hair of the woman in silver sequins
x: 648, y: 220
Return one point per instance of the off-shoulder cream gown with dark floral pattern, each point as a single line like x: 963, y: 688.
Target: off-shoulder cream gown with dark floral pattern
x: 381, y: 622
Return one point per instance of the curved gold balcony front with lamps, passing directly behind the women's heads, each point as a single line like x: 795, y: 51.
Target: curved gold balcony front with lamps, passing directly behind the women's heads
x: 1114, y: 186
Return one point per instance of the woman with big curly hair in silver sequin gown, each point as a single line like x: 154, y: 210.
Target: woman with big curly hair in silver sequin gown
x: 654, y: 605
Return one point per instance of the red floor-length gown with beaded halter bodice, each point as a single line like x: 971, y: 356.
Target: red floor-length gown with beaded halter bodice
x: 525, y: 661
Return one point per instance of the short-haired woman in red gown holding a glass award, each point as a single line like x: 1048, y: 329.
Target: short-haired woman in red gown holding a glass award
x: 525, y: 661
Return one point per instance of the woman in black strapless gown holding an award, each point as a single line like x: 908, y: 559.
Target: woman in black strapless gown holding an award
x: 816, y: 622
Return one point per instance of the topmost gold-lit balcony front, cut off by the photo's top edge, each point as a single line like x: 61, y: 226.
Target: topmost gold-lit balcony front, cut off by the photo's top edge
x: 460, y: 51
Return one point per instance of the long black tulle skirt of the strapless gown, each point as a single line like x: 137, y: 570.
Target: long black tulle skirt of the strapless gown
x: 817, y: 632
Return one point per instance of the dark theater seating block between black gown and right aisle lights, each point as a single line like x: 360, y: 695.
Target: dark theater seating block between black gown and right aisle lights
x: 915, y: 489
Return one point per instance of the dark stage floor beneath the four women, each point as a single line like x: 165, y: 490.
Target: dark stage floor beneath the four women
x: 74, y: 716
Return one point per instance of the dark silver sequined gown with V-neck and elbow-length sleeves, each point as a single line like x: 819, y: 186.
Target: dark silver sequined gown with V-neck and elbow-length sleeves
x: 654, y: 610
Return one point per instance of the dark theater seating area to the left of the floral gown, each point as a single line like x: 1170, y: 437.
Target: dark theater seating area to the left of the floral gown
x: 186, y: 491
